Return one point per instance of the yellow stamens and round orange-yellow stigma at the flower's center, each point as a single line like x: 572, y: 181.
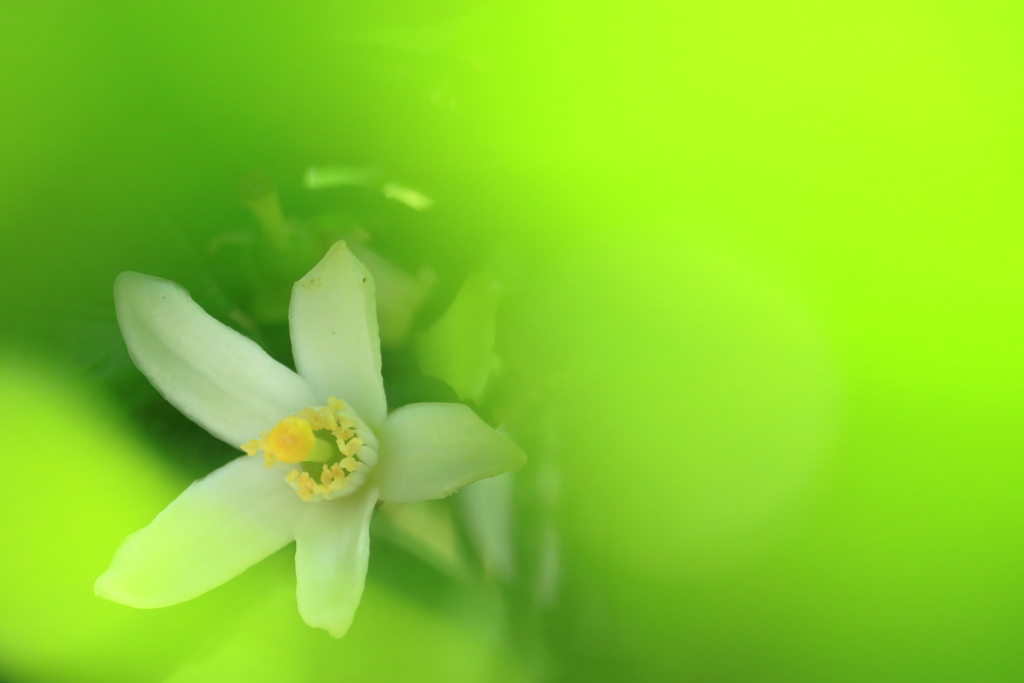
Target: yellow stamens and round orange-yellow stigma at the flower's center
x: 333, y: 448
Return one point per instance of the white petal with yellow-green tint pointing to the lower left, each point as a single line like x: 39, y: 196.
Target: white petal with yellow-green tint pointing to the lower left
x: 220, y: 527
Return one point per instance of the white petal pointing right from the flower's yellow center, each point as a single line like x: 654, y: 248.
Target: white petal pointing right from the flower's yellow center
x: 433, y: 450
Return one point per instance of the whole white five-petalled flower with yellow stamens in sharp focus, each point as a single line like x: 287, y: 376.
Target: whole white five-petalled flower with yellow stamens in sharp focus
x: 331, y: 450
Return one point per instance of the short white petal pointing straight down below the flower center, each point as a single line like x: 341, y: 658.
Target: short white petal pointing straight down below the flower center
x: 332, y: 548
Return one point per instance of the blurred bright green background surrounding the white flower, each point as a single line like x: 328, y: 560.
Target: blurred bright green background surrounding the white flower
x: 767, y: 322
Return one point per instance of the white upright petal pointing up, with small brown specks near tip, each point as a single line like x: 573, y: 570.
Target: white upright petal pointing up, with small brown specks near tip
x: 334, y: 334
